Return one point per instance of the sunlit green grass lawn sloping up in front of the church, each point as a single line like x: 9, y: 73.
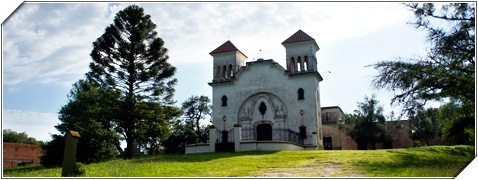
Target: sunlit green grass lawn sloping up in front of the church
x: 435, y: 161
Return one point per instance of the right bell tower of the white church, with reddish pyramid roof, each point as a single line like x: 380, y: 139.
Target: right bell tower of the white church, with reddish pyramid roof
x: 300, y: 53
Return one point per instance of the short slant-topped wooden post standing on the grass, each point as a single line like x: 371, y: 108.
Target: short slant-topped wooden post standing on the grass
x: 69, y: 156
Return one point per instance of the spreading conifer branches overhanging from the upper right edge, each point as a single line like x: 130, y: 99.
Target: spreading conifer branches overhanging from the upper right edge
x: 448, y: 70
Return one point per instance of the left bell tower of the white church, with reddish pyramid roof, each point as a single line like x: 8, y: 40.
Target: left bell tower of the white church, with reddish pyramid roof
x: 227, y: 61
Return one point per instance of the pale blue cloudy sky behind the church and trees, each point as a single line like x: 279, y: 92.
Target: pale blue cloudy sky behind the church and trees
x: 46, y: 48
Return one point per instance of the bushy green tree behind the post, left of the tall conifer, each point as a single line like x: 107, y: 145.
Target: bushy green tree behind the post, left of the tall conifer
x: 89, y: 111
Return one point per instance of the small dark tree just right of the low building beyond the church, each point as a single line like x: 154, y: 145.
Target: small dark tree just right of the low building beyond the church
x: 424, y: 124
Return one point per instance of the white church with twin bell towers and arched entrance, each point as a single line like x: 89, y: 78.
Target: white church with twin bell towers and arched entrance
x: 260, y: 105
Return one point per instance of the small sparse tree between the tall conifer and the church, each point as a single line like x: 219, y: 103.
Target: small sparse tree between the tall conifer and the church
x: 195, y: 109
